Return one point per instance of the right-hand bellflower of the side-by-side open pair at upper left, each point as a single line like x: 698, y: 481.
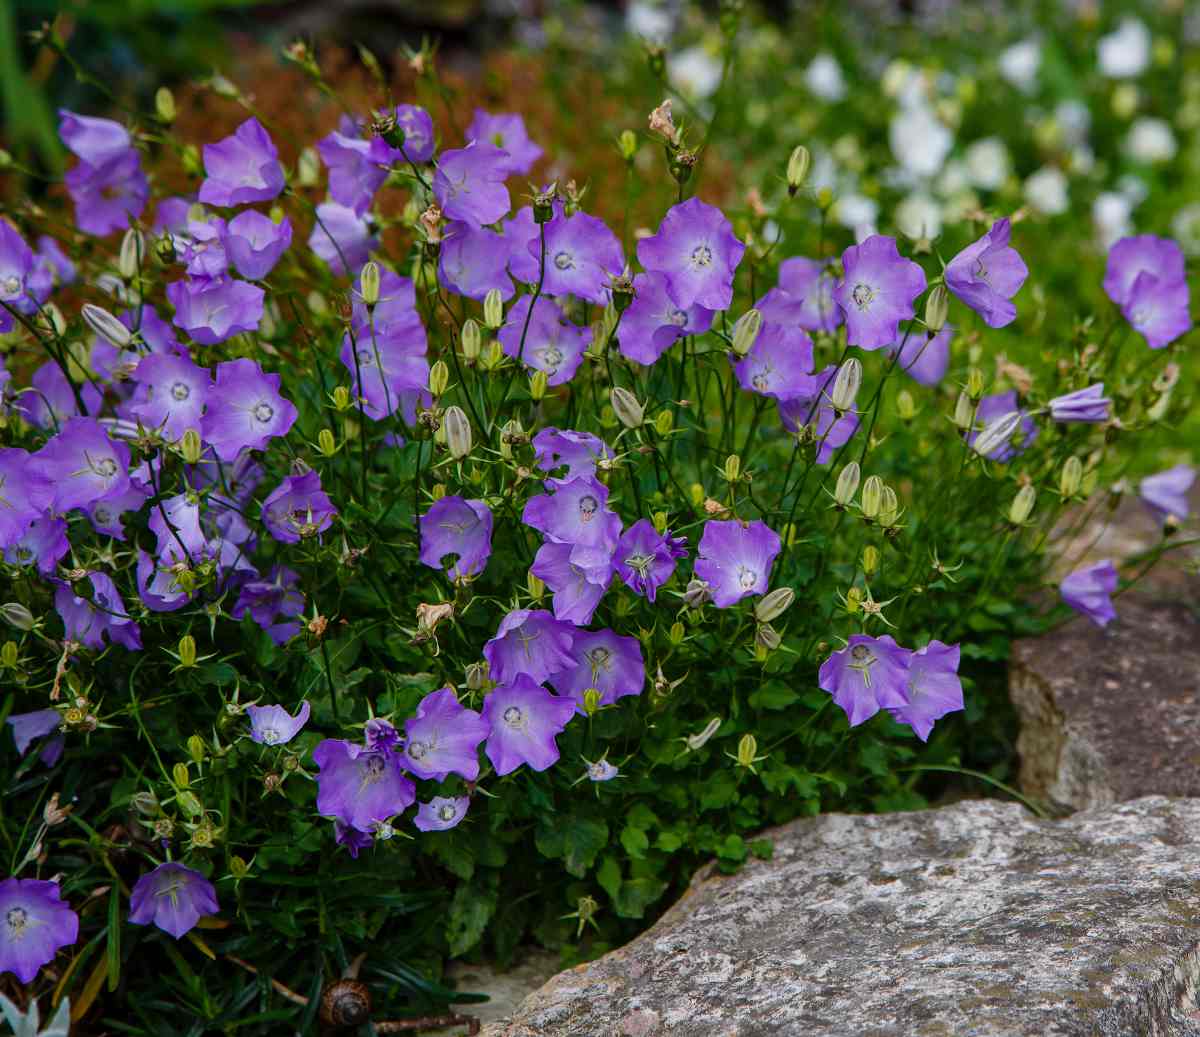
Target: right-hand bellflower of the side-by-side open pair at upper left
x: 245, y: 410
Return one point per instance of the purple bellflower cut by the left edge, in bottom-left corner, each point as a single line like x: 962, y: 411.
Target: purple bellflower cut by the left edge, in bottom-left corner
x: 34, y: 925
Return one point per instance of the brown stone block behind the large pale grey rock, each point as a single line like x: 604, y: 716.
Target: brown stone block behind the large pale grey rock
x: 1111, y: 715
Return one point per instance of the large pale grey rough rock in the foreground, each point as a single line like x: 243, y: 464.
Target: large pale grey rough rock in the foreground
x: 969, y: 920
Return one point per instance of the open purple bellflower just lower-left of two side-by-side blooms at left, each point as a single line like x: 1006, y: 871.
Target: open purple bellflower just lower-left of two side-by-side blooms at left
x: 83, y: 465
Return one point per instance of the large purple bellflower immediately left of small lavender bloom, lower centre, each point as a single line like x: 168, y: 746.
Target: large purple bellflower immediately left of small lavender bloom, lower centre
x: 361, y: 788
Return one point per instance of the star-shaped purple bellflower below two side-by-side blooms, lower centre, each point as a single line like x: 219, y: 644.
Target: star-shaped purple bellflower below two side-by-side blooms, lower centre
x: 524, y: 720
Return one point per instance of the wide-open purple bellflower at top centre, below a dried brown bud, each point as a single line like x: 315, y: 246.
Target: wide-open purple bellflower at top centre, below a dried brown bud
x: 698, y: 253
